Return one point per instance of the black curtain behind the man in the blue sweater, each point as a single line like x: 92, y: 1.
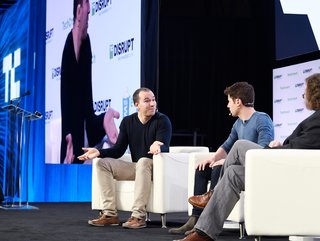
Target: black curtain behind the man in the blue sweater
x: 204, y: 47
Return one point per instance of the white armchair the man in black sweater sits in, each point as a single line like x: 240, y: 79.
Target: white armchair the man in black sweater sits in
x: 170, y: 182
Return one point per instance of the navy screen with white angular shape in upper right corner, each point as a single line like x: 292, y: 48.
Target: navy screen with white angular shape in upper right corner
x: 297, y: 27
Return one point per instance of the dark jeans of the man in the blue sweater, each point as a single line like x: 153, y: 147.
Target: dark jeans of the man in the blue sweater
x: 201, y: 183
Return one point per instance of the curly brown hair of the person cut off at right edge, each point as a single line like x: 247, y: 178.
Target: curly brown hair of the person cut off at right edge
x: 313, y: 91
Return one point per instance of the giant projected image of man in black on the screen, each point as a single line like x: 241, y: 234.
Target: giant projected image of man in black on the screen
x: 79, y: 122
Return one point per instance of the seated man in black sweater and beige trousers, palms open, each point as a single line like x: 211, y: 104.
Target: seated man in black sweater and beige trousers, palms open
x: 147, y: 133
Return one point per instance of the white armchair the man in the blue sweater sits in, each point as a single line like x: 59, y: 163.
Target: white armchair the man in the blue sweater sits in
x: 237, y: 214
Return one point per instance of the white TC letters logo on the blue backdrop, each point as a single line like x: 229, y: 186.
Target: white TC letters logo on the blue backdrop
x: 9, y: 65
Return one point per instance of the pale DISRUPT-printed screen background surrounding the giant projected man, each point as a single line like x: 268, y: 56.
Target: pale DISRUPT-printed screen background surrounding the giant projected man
x: 115, y: 34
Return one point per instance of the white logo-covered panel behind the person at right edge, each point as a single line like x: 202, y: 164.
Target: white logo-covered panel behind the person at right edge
x: 288, y: 104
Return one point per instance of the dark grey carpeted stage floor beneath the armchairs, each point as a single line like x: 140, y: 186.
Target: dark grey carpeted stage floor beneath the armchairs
x: 68, y: 222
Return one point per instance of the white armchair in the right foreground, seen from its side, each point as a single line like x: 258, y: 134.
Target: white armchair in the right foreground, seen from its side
x: 282, y: 193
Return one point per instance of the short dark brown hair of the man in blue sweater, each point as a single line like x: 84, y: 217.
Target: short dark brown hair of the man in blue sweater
x: 243, y: 91
